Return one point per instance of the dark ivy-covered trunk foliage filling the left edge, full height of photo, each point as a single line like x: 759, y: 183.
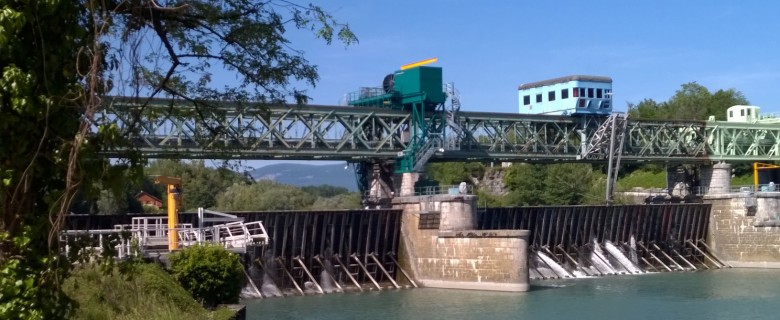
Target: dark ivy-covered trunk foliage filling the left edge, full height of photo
x: 38, y: 120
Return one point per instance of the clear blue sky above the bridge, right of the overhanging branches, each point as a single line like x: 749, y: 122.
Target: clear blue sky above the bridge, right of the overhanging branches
x: 489, y: 48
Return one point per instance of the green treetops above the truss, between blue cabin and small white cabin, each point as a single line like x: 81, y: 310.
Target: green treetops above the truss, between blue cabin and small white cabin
x: 692, y: 102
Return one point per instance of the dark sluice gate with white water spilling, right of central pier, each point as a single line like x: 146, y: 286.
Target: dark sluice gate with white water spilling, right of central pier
x: 577, y: 241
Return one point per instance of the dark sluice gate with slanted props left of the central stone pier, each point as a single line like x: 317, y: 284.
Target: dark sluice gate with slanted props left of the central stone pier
x: 308, y: 250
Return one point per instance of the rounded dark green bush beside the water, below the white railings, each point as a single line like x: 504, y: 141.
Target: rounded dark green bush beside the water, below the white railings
x: 210, y: 273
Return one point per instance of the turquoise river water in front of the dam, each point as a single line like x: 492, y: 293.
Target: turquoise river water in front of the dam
x: 720, y: 294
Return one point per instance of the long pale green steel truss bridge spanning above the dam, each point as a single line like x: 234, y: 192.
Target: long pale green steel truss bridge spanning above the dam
x: 162, y: 128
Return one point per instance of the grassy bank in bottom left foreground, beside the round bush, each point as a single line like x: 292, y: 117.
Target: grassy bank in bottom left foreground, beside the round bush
x: 148, y: 293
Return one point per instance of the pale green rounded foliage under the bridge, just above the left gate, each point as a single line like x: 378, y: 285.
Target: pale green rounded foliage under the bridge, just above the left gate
x: 264, y: 195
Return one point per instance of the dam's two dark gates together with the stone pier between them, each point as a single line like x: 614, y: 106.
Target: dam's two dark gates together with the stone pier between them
x: 445, y: 241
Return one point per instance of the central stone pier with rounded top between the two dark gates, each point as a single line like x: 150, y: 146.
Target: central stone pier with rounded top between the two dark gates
x: 441, y: 247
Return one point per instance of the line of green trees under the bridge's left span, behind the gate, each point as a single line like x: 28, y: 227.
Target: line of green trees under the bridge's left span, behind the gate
x: 215, y: 188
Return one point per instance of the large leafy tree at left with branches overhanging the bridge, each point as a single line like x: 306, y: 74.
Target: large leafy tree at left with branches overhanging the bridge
x: 58, y: 60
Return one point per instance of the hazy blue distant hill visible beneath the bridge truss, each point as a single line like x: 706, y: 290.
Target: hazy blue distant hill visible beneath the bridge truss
x: 308, y: 175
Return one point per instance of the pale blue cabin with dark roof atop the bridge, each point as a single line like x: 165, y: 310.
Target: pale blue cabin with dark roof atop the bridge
x: 571, y: 95
